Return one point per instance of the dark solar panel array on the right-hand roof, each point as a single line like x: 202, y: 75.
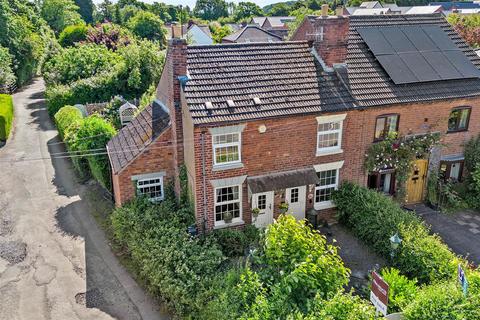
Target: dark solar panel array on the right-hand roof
x: 412, y: 54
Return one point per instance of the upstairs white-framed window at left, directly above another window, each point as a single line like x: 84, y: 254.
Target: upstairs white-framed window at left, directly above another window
x: 226, y: 148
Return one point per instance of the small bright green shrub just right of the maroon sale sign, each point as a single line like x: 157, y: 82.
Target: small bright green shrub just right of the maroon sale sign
x: 401, y: 289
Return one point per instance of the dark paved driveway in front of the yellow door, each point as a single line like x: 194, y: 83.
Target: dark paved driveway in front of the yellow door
x: 460, y: 231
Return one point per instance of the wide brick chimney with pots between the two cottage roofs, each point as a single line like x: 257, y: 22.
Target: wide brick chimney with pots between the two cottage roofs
x: 329, y: 35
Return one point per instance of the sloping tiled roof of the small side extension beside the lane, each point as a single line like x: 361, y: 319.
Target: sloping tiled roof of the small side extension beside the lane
x: 132, y: 139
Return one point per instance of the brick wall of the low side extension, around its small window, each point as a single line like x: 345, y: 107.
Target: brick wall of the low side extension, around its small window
x: 157, y: 157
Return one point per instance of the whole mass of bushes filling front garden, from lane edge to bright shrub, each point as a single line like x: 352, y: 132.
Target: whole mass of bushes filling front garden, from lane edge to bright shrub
x: 292, y: 273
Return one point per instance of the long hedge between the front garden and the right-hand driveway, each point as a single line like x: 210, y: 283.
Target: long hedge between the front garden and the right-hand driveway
x: 374, y: 218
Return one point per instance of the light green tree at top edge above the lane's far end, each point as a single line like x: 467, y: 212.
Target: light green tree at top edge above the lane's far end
x: 60, y: 14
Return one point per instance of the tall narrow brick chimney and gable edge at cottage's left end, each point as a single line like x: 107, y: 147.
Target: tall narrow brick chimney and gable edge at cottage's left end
x: 169, y: 93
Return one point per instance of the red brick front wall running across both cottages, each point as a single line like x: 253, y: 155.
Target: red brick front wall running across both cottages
x: 290, y: 143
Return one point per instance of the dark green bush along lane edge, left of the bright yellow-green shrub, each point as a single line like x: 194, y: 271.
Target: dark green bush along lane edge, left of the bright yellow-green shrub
x: 173, y: 265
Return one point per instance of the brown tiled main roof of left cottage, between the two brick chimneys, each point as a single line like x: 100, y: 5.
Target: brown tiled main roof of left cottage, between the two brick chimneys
x: 284, y: 75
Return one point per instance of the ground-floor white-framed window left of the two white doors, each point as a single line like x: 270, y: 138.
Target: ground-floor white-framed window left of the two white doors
x: 227, y: 199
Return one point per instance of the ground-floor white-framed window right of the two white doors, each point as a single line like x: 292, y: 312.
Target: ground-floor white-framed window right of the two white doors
x: 328, y: 175
